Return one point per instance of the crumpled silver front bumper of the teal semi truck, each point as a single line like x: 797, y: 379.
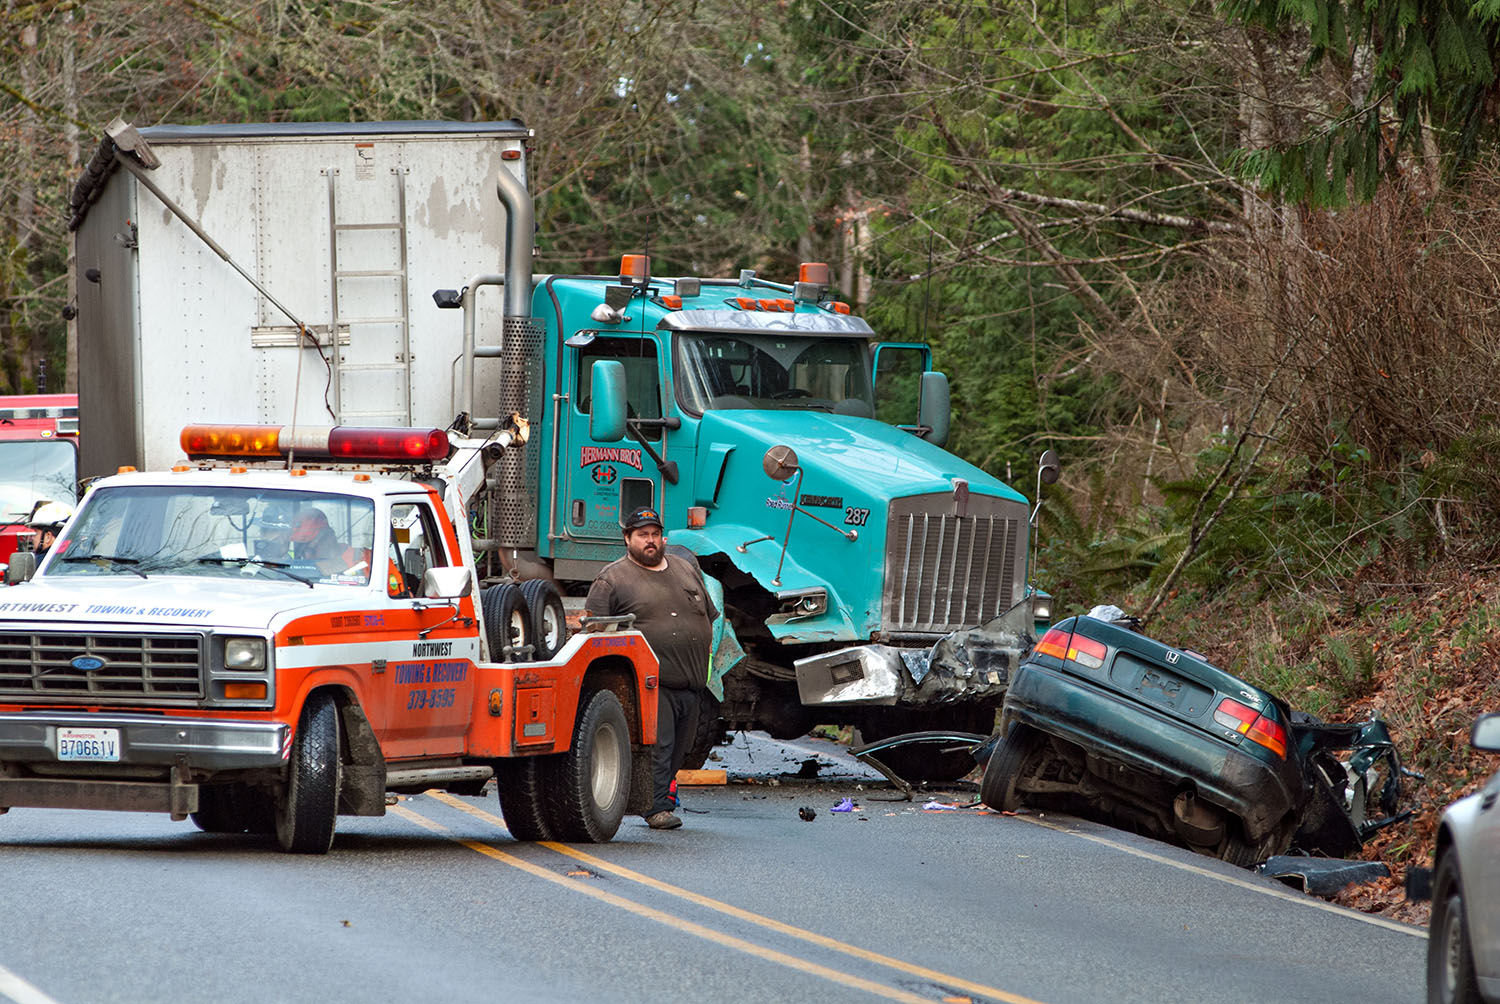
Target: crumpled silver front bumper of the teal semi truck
x: 968, y: 666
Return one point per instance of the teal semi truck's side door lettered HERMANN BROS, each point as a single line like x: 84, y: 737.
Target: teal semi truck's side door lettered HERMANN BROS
x: 605, y: 481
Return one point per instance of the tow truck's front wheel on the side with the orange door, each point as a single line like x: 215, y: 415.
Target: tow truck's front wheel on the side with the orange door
x: 308, y: 807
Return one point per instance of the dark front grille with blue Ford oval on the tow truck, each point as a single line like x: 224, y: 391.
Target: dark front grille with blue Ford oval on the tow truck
x: 133, y: 667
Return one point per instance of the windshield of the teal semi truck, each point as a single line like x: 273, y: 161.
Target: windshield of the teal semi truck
x: 775, y: 371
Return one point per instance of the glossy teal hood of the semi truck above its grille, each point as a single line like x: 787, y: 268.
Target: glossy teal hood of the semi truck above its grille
x: 847, y: 454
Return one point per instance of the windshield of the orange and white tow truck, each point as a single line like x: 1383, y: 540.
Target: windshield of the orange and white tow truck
x: 220, y: 532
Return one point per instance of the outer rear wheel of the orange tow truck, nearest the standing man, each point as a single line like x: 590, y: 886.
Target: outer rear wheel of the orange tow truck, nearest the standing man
x: 592, y: 783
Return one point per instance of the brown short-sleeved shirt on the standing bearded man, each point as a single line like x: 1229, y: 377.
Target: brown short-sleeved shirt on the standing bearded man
x: 673, y: 612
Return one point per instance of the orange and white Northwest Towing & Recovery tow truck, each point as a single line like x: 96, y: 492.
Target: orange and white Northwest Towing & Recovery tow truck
x: 286, y: 628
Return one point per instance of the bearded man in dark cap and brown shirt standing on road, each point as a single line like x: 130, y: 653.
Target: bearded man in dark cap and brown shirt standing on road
x: 676, y: 615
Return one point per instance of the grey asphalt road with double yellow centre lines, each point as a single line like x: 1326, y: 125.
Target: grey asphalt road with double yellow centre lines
x: 748, y: 903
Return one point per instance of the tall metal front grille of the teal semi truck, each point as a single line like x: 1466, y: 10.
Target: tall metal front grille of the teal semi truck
x: 944, y: 571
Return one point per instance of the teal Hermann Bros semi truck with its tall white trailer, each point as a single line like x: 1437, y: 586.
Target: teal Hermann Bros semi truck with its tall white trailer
x: 871, y: 579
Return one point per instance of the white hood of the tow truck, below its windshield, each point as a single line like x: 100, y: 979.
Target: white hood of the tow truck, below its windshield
x: 164, y: 600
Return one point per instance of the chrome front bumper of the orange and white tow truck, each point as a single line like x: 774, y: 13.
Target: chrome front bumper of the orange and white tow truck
x: 35, y: 775
